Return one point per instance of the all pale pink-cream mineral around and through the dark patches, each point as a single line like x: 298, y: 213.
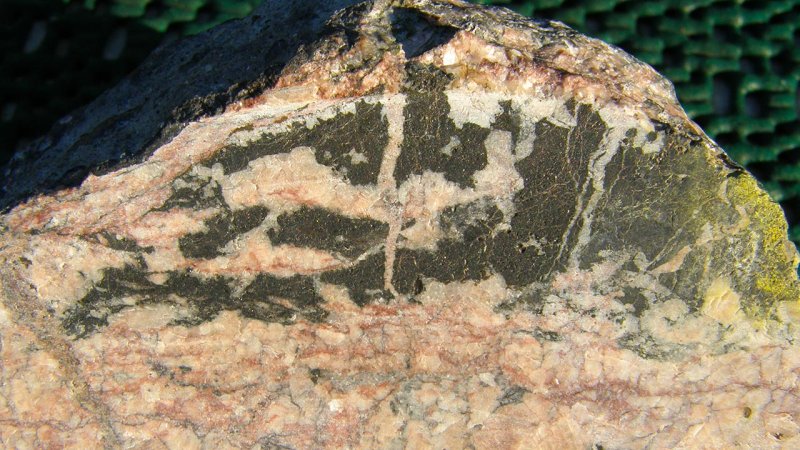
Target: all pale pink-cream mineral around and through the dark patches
x: 451, y: 371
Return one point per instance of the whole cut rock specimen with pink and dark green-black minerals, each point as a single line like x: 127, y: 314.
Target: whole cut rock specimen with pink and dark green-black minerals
x: 433, y: 225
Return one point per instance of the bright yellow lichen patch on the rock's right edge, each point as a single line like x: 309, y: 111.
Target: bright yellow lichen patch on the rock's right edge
x: 777, y: 276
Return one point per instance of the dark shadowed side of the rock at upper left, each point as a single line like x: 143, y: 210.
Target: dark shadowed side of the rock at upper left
x: 178, y: 83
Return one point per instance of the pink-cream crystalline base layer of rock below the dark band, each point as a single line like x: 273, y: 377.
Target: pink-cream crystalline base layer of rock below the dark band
x: 446, y: 373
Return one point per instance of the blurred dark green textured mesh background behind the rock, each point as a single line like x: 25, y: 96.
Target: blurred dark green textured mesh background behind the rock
x: 735, y: 63
